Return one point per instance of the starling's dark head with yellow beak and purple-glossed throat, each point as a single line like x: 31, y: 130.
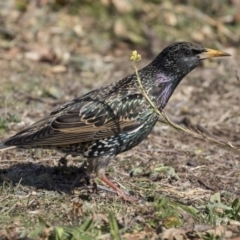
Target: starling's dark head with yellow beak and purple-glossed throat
x: 174, y: 63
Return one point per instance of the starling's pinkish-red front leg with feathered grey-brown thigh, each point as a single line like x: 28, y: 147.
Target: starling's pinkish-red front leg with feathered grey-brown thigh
x: 99, y: 165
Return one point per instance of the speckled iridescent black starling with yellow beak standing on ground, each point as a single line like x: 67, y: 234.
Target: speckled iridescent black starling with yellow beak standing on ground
x: 115, y: 118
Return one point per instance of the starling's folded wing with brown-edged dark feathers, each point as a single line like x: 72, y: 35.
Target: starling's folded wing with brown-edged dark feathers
x: 83, y: 121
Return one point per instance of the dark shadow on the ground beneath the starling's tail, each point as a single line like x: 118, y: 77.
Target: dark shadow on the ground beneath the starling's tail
x: 58, y: 178
